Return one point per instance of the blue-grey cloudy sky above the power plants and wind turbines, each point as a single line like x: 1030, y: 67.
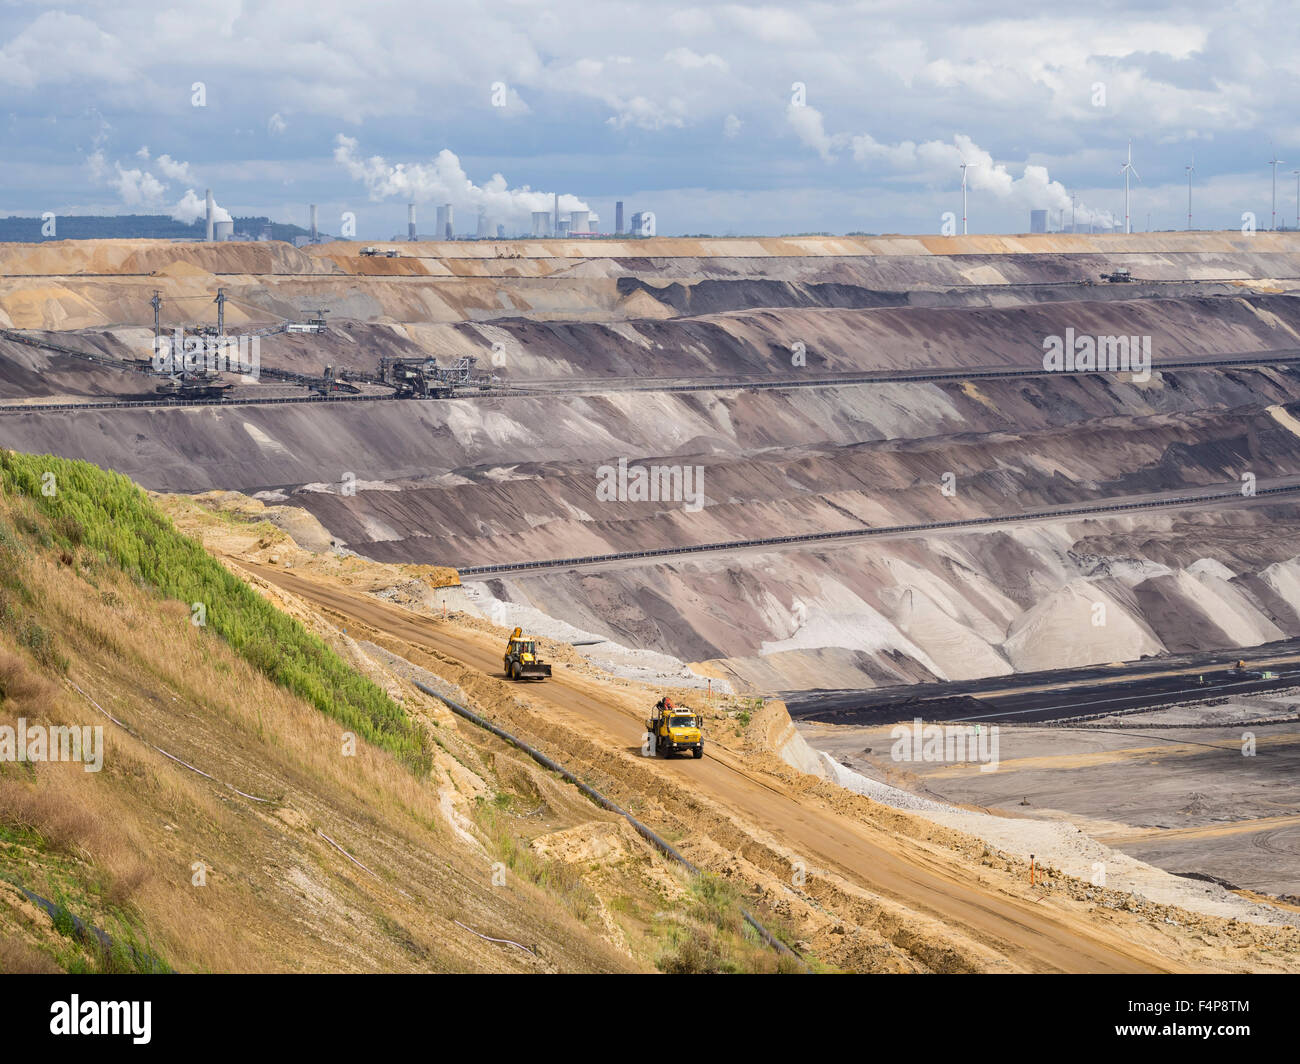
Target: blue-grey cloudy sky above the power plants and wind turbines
x: 720, y: 118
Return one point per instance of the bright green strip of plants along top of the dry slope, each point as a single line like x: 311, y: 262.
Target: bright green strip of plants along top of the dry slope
x: 88, y: 509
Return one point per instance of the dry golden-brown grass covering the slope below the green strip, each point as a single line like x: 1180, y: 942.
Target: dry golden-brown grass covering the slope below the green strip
x: 120, y: 847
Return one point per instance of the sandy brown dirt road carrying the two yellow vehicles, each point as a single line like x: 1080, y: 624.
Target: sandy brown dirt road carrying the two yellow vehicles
x: 1029, y: 936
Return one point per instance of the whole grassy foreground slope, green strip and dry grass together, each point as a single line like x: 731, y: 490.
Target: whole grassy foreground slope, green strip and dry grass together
x: 97, y: 591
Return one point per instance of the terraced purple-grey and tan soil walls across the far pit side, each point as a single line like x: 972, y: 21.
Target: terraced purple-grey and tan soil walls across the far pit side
x: 480, y: 482
